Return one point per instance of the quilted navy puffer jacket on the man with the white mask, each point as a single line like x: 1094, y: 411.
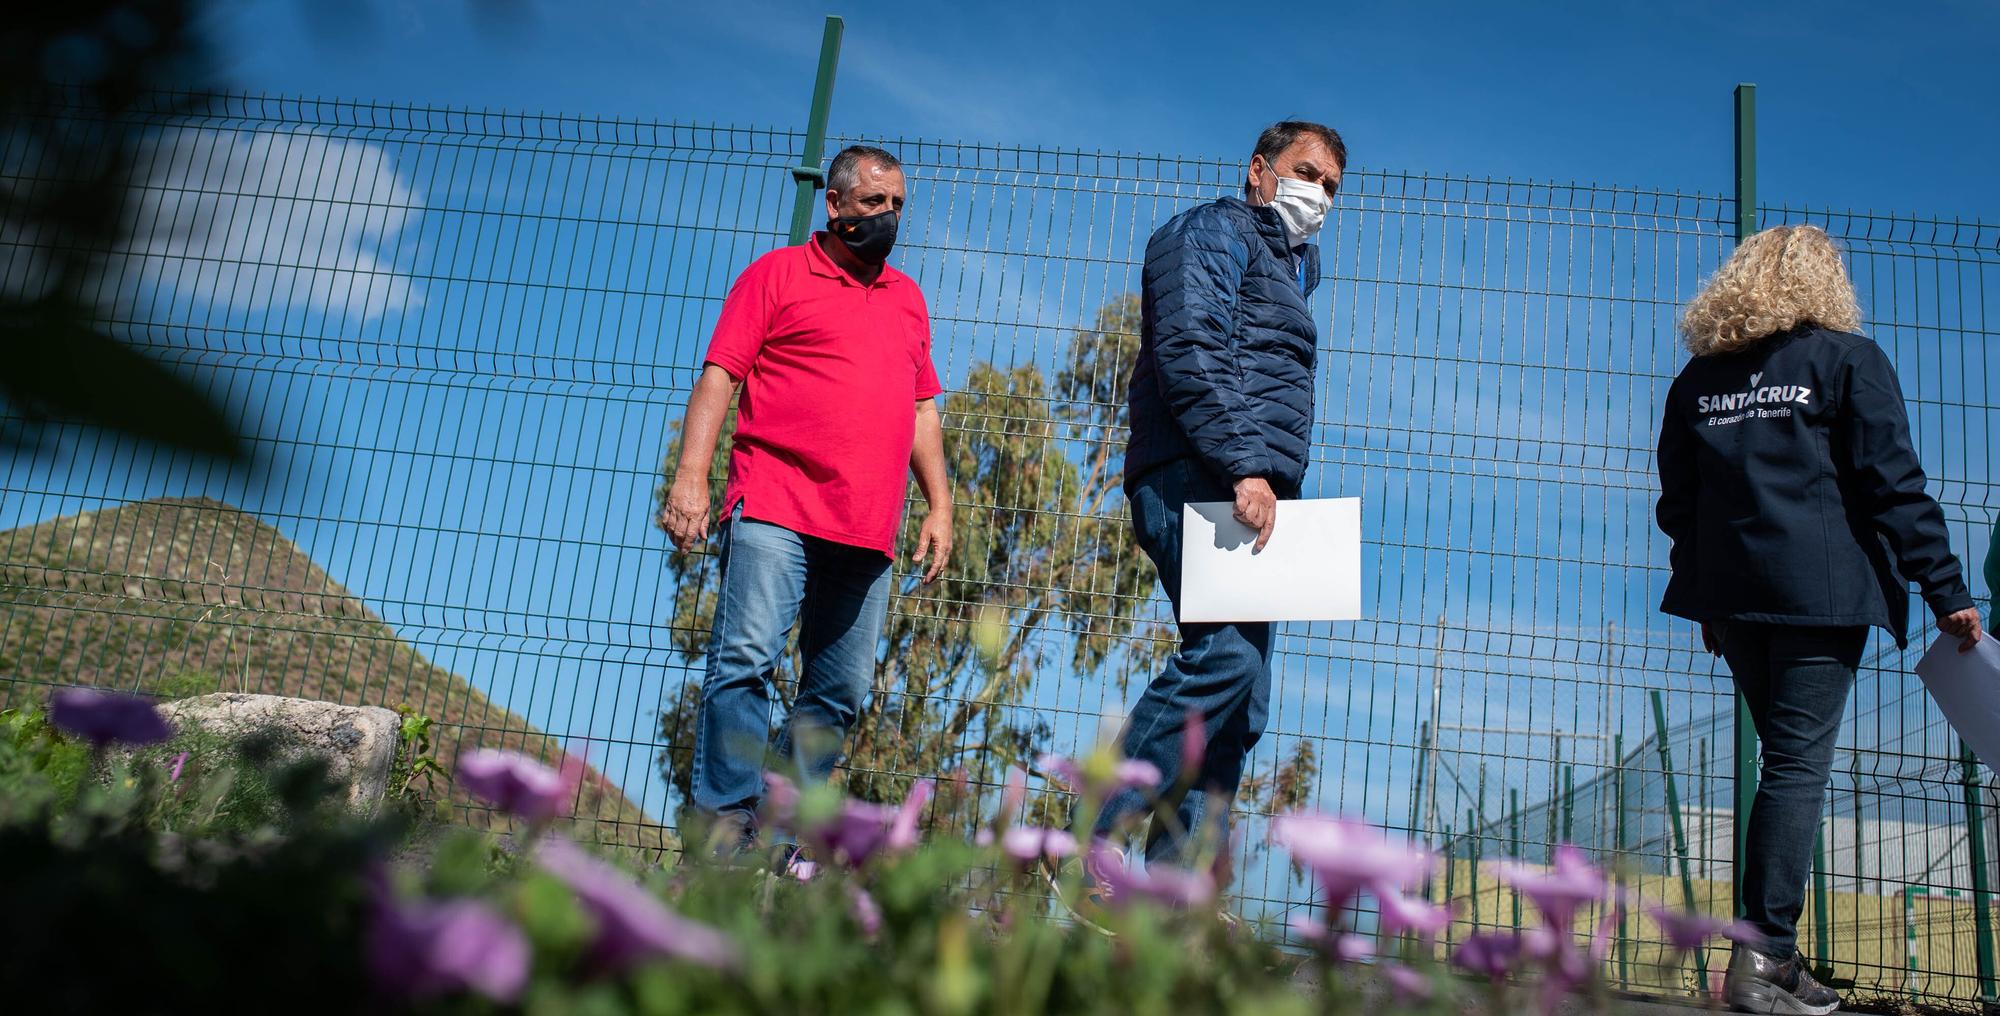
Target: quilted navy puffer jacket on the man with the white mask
x: 1227, y: 347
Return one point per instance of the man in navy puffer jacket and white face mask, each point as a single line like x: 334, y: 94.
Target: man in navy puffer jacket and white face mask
x: 1223, y: 413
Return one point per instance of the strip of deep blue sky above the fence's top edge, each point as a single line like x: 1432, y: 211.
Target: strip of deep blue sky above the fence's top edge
x: 1861, y: 105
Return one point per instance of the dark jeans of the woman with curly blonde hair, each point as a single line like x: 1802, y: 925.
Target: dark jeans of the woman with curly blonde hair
x: 1797, y: 683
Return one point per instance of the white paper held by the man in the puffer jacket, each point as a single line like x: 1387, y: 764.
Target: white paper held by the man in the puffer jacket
x: 1309, y: 571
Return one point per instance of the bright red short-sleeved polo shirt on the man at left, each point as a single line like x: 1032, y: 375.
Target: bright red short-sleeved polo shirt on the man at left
x: 831, y: 377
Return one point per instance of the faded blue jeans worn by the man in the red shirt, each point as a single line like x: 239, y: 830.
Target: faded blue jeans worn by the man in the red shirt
x: 773, y: 579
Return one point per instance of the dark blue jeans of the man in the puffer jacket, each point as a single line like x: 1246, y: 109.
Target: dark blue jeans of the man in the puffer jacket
x: 1223, y: 673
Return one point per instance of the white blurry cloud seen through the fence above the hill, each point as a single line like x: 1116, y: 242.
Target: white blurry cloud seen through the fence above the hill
x: 251, y: 221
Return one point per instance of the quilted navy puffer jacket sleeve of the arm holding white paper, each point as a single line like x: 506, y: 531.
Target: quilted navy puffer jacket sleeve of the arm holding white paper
x: 1193, y: 281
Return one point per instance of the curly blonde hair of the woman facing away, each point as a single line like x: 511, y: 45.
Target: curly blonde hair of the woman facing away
x: 1777, y: 281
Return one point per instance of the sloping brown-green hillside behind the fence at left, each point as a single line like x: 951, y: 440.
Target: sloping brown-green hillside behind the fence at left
x: 191, y: 597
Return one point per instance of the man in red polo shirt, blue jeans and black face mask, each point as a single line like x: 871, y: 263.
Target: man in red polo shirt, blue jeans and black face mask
x: 831, y: 349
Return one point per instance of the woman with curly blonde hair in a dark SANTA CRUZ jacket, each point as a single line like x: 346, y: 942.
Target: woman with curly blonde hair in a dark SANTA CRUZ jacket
x: 1799, y: 519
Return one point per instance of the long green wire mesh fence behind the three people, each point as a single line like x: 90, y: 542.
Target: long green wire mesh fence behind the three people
x: 461, y: 345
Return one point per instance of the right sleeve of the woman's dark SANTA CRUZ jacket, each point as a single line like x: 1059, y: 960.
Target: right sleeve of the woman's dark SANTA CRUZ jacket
x: 1889, y: 481
